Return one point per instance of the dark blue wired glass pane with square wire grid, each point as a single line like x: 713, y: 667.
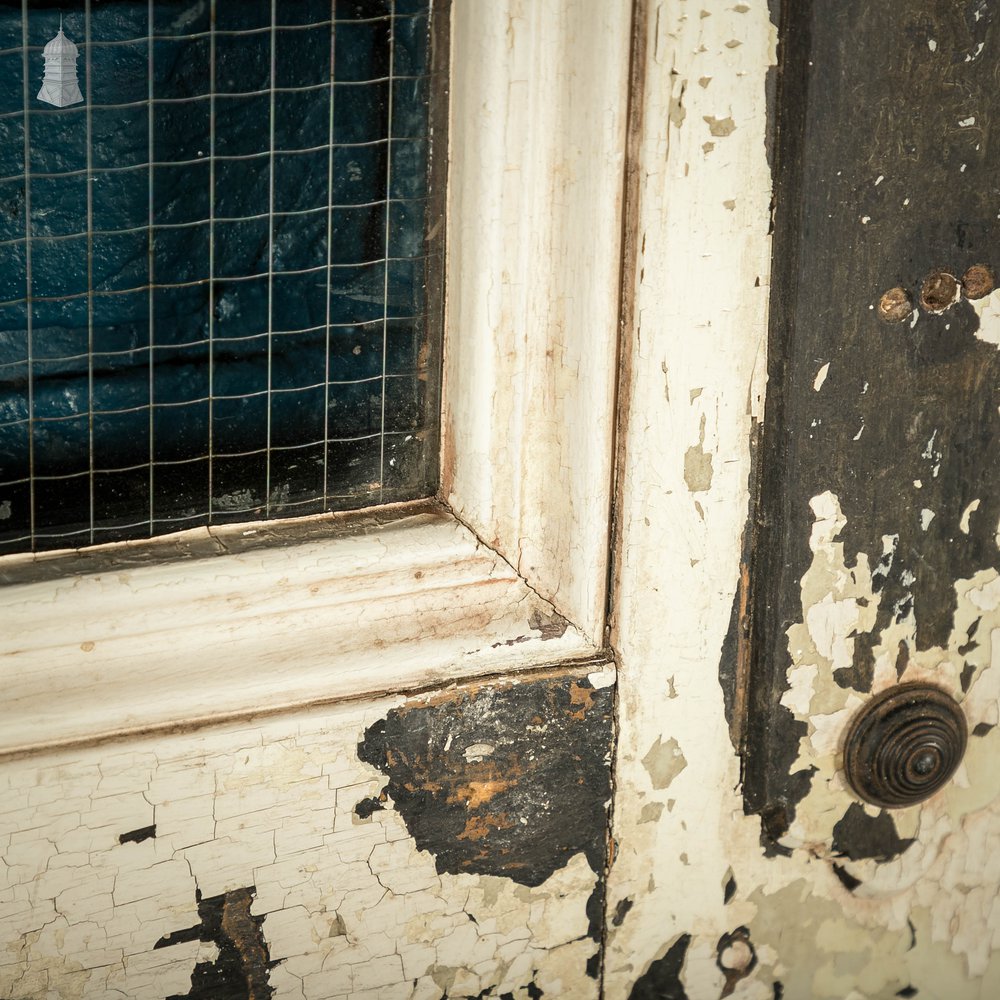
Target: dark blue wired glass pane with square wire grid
x: 213, y: 278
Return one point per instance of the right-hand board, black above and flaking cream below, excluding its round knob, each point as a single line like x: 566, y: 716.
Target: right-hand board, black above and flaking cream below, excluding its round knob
x: 877, y: 560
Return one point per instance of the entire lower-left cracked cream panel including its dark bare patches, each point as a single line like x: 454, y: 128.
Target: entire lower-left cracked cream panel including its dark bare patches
x: 274, y: 860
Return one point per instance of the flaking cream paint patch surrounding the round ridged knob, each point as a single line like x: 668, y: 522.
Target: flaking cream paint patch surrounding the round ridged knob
x: 924, y: 871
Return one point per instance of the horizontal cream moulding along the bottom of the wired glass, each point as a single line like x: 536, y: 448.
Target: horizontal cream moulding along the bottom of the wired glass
x: 235, y: 624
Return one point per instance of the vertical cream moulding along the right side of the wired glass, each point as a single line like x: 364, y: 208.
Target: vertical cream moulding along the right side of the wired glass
x: 537, y: 152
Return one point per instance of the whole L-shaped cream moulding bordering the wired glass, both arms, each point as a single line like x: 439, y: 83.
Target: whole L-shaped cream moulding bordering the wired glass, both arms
x: 220, y: 623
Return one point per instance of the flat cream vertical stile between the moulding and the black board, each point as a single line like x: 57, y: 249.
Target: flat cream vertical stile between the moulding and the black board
x: 692, y: 391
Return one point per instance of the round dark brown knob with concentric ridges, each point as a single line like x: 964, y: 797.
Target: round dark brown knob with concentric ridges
x: 904, y: 745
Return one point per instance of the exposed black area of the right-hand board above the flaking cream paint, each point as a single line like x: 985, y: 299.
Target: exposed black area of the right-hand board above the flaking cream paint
x: 887, y: 178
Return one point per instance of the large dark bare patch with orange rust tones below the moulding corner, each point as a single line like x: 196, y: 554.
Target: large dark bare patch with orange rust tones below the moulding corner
x: 502, y: 778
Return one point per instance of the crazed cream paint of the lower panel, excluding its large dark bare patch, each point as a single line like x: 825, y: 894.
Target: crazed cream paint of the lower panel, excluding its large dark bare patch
x: 316, y: 898
